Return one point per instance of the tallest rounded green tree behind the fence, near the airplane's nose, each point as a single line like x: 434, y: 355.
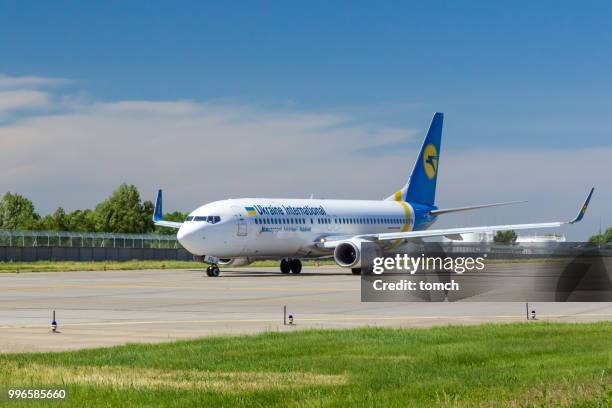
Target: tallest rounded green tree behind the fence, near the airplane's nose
x: 123, y: 212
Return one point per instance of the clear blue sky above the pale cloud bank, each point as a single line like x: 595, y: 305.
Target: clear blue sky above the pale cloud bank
x: 510, y: 76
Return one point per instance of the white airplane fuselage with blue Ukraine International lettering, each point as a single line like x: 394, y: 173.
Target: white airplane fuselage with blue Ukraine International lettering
x: 263, y: 227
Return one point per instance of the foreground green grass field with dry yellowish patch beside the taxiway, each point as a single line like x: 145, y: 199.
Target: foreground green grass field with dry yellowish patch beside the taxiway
x: 527, y: 364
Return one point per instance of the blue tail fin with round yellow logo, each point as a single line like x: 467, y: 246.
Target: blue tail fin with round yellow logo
x: 422, y: 183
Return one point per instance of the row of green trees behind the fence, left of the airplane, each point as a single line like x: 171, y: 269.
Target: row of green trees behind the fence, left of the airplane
x: 122, y: 212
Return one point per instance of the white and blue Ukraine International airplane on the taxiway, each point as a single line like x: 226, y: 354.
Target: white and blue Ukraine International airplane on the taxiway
x: 237, y: 232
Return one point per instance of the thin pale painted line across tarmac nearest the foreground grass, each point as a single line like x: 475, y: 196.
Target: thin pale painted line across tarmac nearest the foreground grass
x: 306, y: 319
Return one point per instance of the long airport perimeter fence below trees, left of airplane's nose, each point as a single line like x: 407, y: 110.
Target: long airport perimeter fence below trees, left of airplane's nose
x: 29, y: 246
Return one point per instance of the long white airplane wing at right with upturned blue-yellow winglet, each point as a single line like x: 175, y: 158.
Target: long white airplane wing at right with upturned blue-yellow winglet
x: 332, y: 242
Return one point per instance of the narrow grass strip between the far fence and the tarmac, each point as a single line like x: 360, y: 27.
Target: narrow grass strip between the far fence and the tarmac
x: 66, y: 266
